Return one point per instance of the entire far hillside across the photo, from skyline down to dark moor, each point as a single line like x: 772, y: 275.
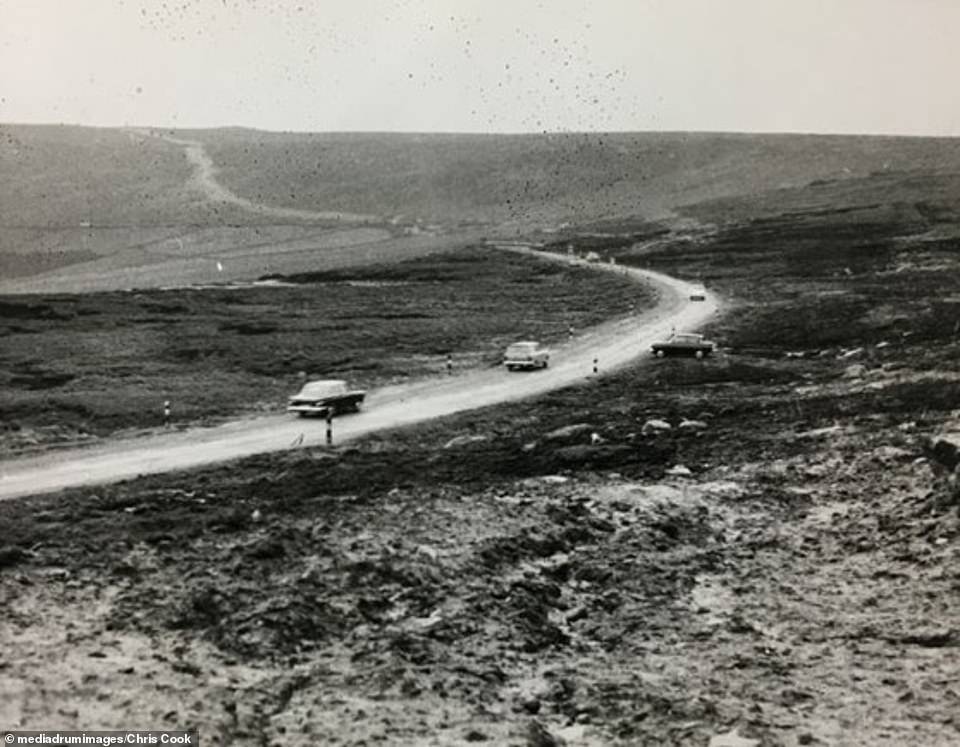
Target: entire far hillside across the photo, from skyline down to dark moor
x: 99, y: 209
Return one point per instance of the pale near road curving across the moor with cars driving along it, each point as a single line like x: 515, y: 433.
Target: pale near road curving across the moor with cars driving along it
x: 612, y: 344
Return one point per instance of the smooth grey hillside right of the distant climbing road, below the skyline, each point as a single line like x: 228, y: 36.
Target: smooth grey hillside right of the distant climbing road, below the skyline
x: 544, y: 179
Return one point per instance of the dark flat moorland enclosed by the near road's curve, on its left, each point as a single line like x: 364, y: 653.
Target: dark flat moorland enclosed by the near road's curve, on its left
x: 76, y: 367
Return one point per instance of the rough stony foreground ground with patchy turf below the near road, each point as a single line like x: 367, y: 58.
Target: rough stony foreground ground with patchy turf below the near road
x: 810, y: 598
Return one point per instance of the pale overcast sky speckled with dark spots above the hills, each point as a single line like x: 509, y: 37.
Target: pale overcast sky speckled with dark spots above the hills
x: 826, y: 66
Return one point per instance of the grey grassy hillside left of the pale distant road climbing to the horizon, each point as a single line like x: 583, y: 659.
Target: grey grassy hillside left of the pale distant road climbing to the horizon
x: 72, y: 195
